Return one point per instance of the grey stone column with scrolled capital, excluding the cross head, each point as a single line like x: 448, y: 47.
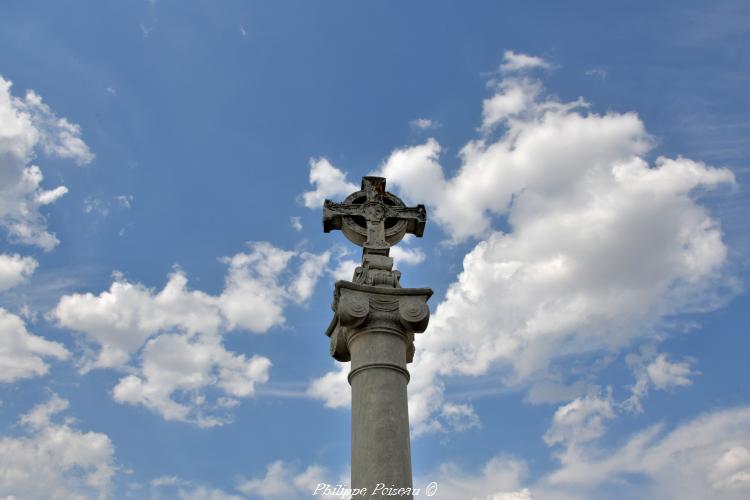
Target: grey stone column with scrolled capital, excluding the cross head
x: 374, y: 327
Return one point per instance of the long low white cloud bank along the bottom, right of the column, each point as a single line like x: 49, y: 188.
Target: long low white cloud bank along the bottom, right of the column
x: 707, y: 457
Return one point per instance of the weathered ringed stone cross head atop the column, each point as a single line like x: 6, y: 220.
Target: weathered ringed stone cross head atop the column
x: 374, y: 218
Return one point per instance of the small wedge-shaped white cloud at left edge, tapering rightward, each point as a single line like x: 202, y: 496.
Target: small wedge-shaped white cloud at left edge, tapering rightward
x: 22, y: 354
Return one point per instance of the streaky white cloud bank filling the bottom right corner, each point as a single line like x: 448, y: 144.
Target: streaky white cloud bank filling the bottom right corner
x: 708, y: 457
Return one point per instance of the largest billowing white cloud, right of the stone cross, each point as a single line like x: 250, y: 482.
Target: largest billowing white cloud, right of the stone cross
x: 599, y: 245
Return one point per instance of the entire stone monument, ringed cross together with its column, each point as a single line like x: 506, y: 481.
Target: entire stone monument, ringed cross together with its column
x: 373, y: 326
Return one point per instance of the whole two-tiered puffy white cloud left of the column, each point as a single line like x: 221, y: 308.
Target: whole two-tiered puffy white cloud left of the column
x: 171, y: 340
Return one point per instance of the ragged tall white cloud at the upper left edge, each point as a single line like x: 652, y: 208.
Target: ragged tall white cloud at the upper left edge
x: 28, y: 125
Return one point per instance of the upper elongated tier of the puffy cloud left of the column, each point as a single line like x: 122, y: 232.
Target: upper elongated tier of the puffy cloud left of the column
x: 257, y: 287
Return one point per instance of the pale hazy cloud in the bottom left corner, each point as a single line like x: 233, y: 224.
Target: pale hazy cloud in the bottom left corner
x: 55, y: 460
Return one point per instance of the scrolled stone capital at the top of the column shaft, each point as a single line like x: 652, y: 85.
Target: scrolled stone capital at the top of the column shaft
x: 359, y: 309
